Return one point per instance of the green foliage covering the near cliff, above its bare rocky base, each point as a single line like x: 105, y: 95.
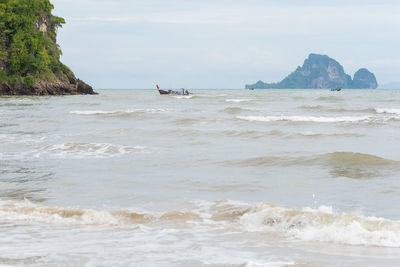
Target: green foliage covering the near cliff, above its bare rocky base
x: 28, y: 40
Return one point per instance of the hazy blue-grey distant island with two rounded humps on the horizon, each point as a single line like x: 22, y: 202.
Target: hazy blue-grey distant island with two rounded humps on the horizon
x: 321, y: 72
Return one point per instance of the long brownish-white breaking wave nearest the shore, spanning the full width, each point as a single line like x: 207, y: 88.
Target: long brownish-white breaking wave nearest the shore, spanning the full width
x: 322, y: 224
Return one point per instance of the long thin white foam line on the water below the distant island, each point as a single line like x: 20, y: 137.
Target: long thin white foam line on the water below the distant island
x: 305, y: 119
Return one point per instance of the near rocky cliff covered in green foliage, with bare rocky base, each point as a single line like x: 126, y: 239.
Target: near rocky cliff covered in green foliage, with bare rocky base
x: 29, y: 54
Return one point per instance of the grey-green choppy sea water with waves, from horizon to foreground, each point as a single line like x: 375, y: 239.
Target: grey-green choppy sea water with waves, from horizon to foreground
x: 217, y: 178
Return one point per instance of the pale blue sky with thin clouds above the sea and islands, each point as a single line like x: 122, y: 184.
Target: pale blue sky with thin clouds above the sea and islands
x: 223, y: 43
